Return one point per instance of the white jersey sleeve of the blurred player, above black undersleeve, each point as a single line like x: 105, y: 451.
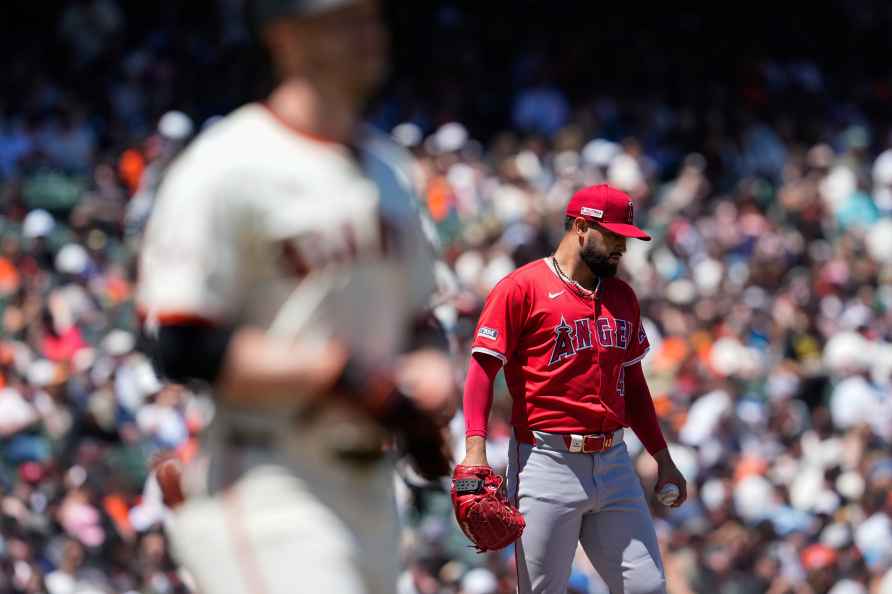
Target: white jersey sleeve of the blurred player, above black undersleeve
x: 190, y: 258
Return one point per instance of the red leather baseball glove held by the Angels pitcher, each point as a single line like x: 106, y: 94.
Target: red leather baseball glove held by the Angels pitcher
x: 482, y: 509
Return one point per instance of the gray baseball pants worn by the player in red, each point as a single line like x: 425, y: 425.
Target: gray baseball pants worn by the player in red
x: 592, y: 499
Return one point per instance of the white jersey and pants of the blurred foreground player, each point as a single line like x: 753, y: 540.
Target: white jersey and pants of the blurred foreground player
x: 257, y: 224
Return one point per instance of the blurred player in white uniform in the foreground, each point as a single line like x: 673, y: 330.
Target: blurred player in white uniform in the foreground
x: 284, y: 264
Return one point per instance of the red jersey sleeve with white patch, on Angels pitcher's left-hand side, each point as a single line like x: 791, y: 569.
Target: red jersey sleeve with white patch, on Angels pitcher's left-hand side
x: 501, y: 321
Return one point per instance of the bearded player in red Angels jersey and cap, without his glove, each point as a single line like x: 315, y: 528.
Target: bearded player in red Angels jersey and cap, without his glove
x: 570, y: 338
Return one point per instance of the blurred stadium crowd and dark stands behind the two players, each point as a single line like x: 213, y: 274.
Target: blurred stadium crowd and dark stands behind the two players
x: 757, y: 146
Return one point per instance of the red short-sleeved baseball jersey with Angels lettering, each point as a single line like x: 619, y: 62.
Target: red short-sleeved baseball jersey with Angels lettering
x: 564, y: 348
